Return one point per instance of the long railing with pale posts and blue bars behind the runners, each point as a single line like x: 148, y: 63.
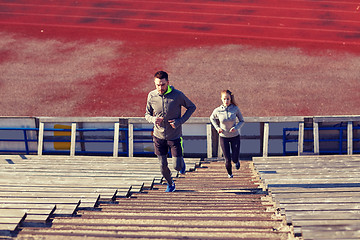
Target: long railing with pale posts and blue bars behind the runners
x: 133, y: 125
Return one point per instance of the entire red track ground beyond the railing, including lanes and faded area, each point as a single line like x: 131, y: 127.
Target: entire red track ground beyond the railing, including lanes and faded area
x: 152, y: 32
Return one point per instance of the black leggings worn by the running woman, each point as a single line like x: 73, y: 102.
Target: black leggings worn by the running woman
x: 234, y: 144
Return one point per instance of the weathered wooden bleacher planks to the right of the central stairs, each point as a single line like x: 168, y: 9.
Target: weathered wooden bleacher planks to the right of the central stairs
x: 318, y: 194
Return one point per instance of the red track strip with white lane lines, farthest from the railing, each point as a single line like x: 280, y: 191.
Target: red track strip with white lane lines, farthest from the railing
x: 300, y: 21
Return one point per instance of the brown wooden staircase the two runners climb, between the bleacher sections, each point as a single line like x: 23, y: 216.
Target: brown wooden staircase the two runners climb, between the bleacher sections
x: 206, y: 205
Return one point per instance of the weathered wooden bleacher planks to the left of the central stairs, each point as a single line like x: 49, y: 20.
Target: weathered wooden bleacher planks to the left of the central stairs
x: 42, y: 187
